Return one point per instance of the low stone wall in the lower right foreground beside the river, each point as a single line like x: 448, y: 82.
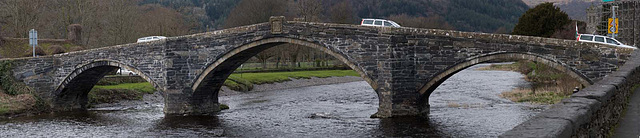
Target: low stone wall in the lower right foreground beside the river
x: 592, y: 112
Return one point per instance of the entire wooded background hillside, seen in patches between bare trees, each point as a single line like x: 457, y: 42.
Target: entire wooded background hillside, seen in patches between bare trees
x: 464, y: 15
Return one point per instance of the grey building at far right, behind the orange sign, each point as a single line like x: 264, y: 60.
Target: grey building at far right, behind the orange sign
x: 628, y: 13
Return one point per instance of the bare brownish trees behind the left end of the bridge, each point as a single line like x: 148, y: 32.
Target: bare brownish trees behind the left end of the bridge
x: 104, y: 23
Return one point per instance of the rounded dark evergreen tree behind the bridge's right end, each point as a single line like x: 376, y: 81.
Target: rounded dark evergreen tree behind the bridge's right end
x: 543, y: 20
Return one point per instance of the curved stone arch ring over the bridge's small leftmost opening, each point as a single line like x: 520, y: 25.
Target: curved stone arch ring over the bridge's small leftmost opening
x: 72, y: 92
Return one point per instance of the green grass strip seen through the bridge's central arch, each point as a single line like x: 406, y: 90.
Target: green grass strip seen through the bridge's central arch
x: 273, y: 77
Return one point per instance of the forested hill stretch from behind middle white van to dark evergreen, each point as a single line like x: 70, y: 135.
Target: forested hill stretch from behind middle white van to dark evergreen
x: 465, y: 15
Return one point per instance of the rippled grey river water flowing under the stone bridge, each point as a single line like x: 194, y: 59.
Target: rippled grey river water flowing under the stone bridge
x: 466, y: 105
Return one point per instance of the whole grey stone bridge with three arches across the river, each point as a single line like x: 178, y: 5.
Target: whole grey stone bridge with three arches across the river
x: 403, y: 65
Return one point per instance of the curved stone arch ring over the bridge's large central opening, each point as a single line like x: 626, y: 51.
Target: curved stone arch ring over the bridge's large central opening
x: 211, y: 79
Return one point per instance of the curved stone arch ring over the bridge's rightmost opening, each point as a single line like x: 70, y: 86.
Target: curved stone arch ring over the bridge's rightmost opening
x: 430, y: 86
